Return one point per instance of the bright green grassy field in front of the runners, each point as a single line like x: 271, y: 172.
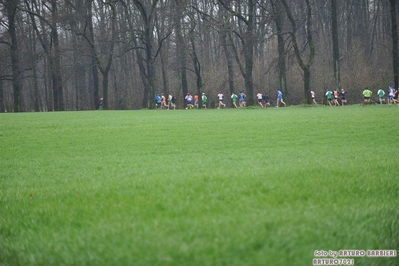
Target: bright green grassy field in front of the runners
x: 198, y: 187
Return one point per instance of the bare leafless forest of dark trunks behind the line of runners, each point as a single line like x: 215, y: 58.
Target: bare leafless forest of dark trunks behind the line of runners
x: 67, y: 54
